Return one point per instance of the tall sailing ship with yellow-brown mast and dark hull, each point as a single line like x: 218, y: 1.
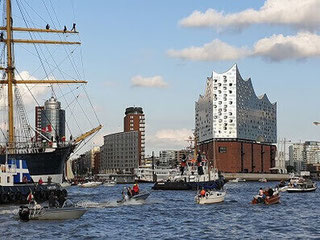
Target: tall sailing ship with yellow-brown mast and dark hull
x: 47, y: 157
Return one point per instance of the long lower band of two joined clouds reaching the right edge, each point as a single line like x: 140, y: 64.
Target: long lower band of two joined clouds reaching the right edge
x: 275, y: 48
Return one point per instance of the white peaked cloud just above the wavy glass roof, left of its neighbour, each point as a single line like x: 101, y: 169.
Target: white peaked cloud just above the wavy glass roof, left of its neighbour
x: 213, y: 51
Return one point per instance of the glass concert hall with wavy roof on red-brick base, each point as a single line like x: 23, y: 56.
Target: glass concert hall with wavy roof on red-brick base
x: 234, y: 127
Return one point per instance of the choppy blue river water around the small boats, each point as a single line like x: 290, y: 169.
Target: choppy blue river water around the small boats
x: 175, y: 215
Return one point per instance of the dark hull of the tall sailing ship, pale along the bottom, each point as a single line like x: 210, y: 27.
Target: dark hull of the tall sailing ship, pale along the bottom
x: 44, y: 164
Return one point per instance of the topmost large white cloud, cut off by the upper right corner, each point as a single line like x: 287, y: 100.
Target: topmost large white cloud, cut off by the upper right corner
x: 301, y: 14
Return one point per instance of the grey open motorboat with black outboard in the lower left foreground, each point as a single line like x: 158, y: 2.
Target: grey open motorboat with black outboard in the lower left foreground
x: 35, y: 211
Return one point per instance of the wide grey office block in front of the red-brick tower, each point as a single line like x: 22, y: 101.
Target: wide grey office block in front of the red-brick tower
x: 120, y: 152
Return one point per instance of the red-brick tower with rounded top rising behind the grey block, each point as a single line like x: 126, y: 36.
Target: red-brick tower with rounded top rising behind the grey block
x: 134, y: 120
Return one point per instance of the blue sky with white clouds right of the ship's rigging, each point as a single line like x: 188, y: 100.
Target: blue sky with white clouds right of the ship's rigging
x: 158, y: 54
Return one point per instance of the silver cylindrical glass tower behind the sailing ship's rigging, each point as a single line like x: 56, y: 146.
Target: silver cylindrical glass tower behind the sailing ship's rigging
x: 53, y: 120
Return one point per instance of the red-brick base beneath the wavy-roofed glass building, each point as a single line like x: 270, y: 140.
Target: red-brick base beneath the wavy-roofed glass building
x: 237, y: 156
